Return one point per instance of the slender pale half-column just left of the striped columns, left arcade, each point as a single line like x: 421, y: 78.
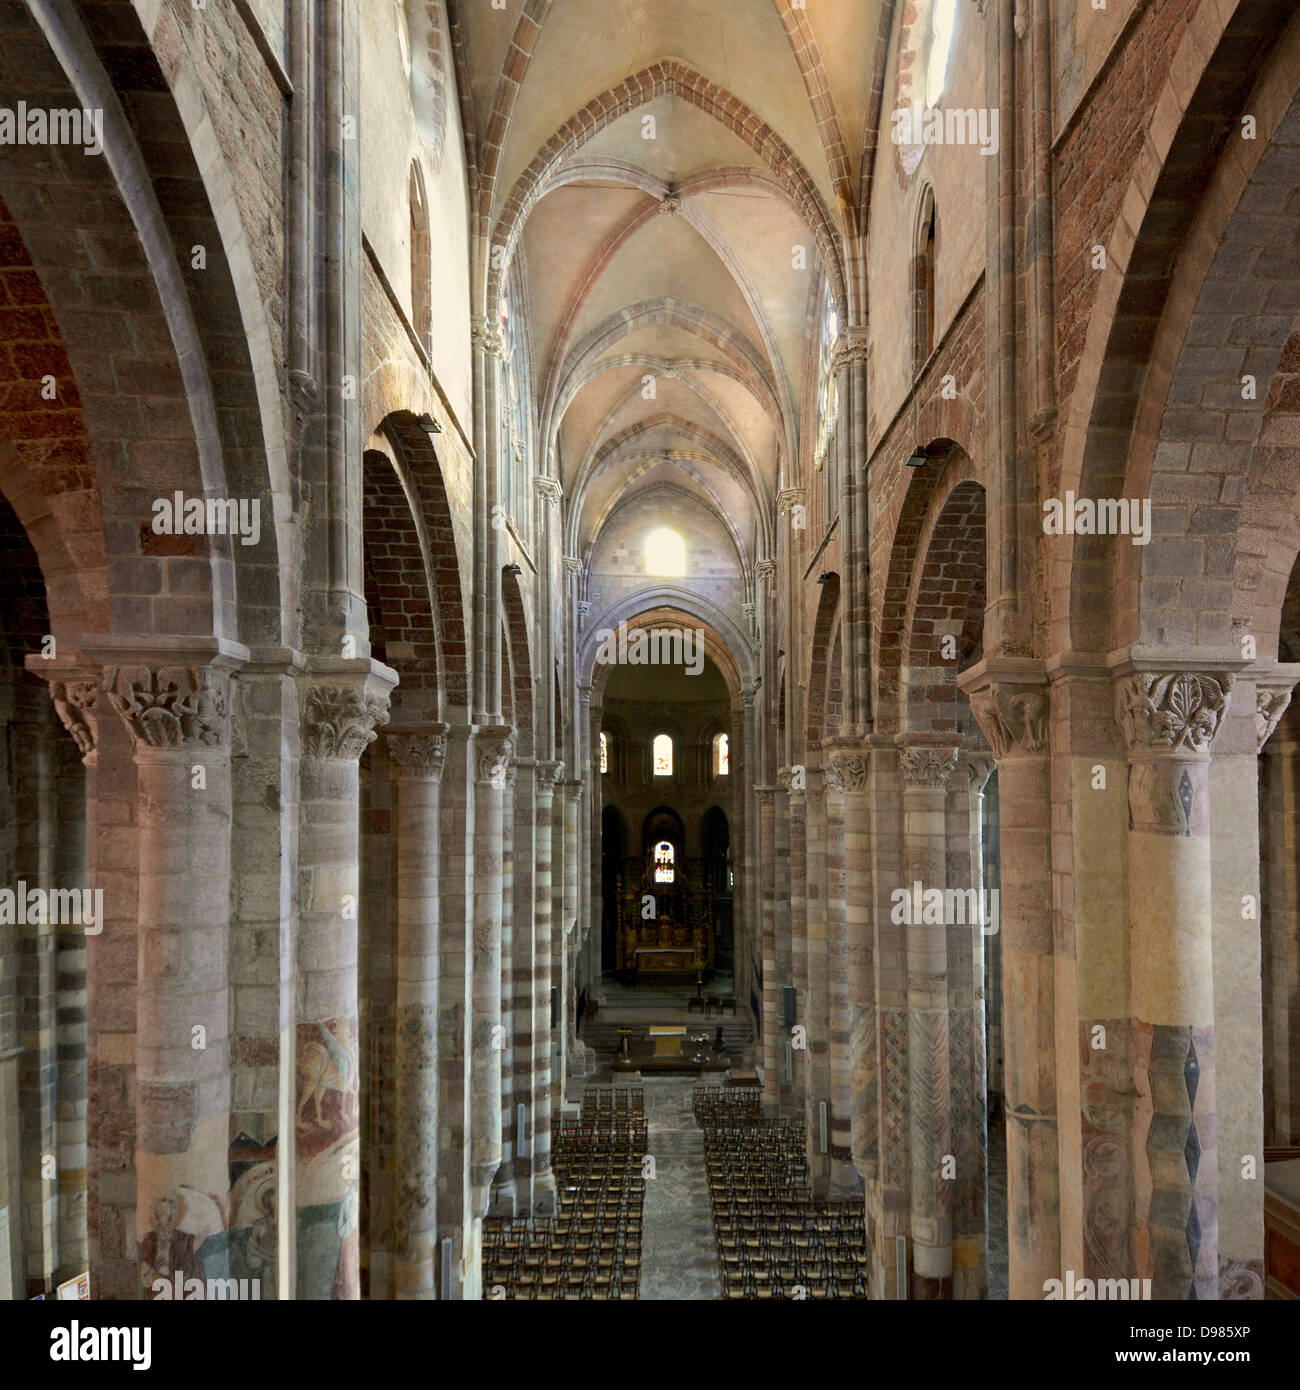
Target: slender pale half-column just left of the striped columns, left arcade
x: 493, y: 750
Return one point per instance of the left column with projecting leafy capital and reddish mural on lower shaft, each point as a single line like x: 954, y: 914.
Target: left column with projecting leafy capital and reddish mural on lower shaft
x: 341, y: 707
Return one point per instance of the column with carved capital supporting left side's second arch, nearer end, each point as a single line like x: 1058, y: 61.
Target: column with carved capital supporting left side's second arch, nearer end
x: 418, y: 757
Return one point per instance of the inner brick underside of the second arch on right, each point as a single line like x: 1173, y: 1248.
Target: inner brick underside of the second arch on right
x: 949, y: 596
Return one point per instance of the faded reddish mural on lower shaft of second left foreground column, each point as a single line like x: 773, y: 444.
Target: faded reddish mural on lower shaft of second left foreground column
x: 329, y: 1157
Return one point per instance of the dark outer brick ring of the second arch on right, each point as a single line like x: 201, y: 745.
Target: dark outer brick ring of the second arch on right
x: 920, y: 502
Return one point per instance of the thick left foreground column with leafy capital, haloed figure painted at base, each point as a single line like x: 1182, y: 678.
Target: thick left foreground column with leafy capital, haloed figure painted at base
x: 179, y: 721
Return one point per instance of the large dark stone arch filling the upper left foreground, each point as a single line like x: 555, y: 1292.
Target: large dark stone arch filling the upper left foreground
x: 143, y: 333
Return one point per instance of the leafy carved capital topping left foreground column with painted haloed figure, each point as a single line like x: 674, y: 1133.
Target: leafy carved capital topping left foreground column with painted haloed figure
x: 172, y: 707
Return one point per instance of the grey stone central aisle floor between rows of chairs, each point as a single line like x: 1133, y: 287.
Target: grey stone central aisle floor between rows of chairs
x: 679, y: 1257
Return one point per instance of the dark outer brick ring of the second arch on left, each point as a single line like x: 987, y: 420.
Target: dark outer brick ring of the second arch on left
x: 421, y: 472
